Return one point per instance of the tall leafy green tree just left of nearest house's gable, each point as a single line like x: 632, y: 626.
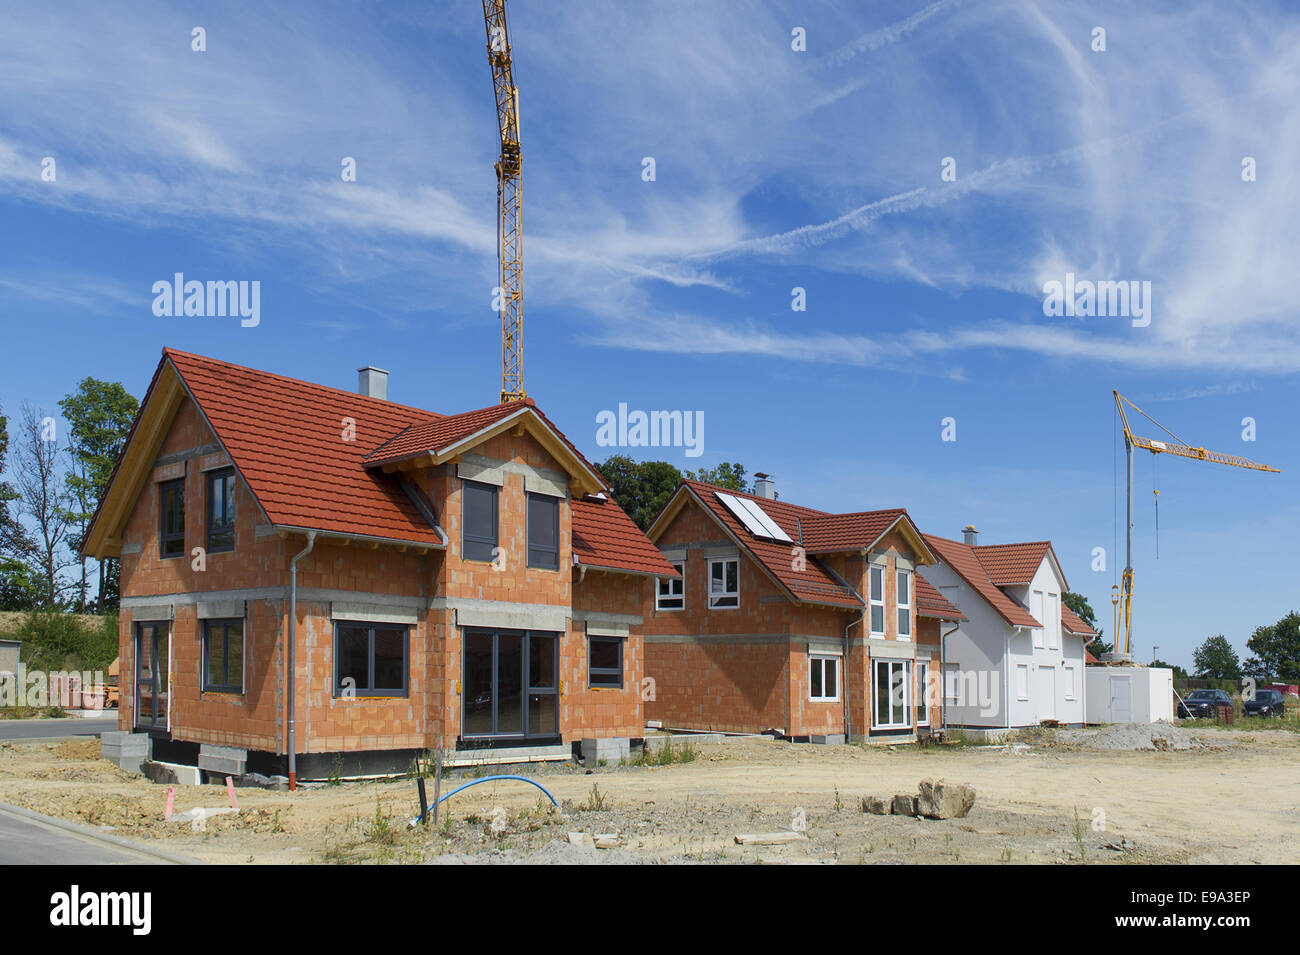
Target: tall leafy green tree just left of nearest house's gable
x: 99, y: 422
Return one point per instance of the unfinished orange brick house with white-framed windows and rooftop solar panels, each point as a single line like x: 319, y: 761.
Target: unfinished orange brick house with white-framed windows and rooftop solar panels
x: 795, y: 620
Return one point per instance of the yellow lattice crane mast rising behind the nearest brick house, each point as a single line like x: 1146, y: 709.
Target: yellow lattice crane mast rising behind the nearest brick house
x: 510, y: 219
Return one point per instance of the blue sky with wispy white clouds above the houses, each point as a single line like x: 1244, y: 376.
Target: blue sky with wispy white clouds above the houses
x: 774, y: 170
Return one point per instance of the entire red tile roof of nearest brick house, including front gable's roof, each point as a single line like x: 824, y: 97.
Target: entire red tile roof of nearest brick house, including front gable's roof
x: 287, y: 440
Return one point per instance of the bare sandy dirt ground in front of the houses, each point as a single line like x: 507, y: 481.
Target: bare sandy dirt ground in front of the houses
x: 1052, y: 800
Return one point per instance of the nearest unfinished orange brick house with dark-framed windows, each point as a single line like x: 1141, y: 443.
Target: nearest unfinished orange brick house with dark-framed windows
x: 319, y: 581
